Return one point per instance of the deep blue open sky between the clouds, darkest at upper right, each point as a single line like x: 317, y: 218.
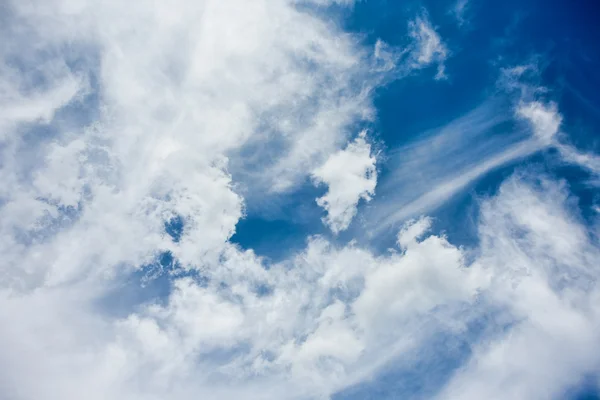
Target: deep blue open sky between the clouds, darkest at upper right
x: 562, y: 35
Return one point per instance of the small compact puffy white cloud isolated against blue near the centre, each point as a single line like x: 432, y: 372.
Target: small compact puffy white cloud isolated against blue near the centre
x: 350, y: 175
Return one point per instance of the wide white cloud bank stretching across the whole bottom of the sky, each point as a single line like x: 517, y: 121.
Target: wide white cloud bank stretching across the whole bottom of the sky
x: 331, y: 317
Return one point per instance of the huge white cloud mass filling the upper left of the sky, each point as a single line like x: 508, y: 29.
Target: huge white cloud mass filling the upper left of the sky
x: 169, y: 125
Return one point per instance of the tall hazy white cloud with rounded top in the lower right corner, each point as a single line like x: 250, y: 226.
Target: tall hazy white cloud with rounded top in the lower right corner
x: 541, y: 262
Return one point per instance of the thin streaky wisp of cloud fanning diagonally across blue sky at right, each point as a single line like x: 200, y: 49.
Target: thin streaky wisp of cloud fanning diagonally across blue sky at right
x: 442, y: 163
